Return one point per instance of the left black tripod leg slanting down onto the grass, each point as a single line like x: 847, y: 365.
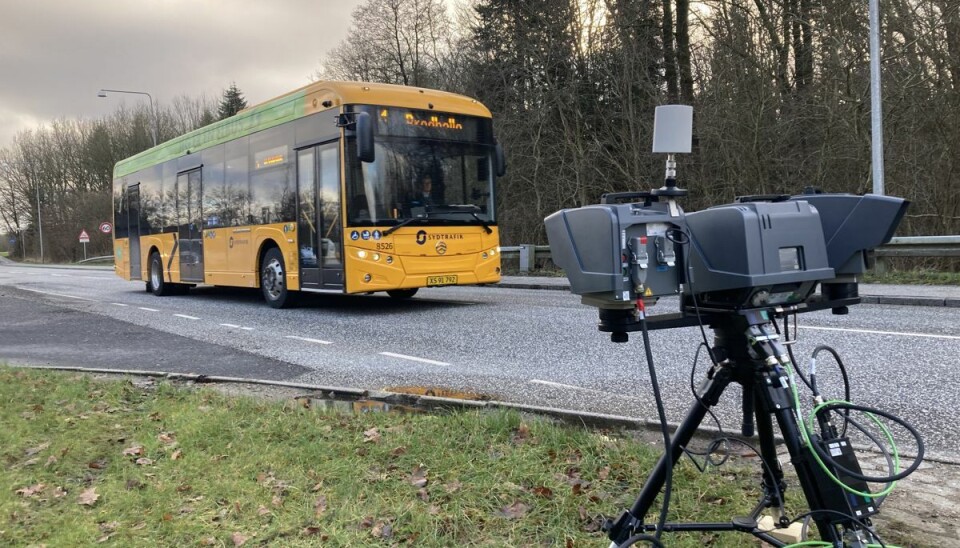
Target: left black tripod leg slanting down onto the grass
x: 632, y: 520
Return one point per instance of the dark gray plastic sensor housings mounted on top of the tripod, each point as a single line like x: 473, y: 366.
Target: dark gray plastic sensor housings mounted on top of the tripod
x: 743, y: 255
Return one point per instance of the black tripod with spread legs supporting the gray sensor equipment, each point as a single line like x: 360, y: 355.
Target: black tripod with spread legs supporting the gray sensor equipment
x: 749, y: 353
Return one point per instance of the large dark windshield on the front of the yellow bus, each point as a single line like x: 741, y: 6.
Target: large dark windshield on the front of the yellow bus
x: 433, y: 181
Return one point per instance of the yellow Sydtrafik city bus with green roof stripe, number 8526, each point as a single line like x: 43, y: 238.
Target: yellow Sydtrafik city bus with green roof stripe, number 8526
x: 337, y: 186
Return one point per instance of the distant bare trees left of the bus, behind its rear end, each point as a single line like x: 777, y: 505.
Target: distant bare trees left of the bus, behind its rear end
x: 56, y: 180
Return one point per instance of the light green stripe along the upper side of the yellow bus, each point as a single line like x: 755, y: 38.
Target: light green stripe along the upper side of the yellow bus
x: 265, y: 116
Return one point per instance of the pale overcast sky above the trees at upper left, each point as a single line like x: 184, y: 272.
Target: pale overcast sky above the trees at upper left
x: 55, y: 55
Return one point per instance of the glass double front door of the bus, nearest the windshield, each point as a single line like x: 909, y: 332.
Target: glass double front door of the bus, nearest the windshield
x: 318, y: 227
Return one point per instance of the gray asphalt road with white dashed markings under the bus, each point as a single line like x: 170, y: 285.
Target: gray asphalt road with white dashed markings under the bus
x: 527, y: 346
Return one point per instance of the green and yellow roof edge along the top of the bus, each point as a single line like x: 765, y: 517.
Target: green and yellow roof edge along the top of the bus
x: 309, y: 99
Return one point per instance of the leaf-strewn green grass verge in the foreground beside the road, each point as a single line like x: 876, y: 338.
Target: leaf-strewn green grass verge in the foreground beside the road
x: 87, y: 462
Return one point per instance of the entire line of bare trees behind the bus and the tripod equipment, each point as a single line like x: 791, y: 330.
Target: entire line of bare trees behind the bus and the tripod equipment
x: 780, y: 89
